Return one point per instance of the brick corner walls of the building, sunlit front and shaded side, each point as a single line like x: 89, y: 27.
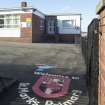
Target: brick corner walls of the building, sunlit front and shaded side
x: 34, y: 33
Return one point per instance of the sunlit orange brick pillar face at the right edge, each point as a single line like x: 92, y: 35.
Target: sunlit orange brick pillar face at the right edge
x: 102, y: 59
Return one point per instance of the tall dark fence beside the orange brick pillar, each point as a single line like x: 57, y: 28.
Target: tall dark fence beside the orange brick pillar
x: 90, y: 49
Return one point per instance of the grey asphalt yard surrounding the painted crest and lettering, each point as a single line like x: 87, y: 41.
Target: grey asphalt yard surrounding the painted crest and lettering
x: 17, y: 61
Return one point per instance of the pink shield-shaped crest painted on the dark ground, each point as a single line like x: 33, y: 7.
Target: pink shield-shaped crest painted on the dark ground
x: 51, y: 86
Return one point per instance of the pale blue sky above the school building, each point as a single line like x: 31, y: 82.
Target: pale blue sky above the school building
x: 86, y: 7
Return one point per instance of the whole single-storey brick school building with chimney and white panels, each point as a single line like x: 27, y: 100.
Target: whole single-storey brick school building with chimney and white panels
x: 26, y: 24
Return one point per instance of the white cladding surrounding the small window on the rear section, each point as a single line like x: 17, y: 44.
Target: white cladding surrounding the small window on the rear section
x: 76, y: 26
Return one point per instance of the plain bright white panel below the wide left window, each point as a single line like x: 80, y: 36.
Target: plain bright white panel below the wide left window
x: 12, y: 32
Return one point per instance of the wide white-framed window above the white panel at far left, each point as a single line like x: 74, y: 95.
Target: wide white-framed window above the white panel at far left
x: 9, y: 21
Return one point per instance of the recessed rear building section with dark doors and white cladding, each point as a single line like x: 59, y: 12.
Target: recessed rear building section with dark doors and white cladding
x: 64, y: 27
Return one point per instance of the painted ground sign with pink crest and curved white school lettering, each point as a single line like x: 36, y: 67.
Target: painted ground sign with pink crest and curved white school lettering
x: 53, y: 91
